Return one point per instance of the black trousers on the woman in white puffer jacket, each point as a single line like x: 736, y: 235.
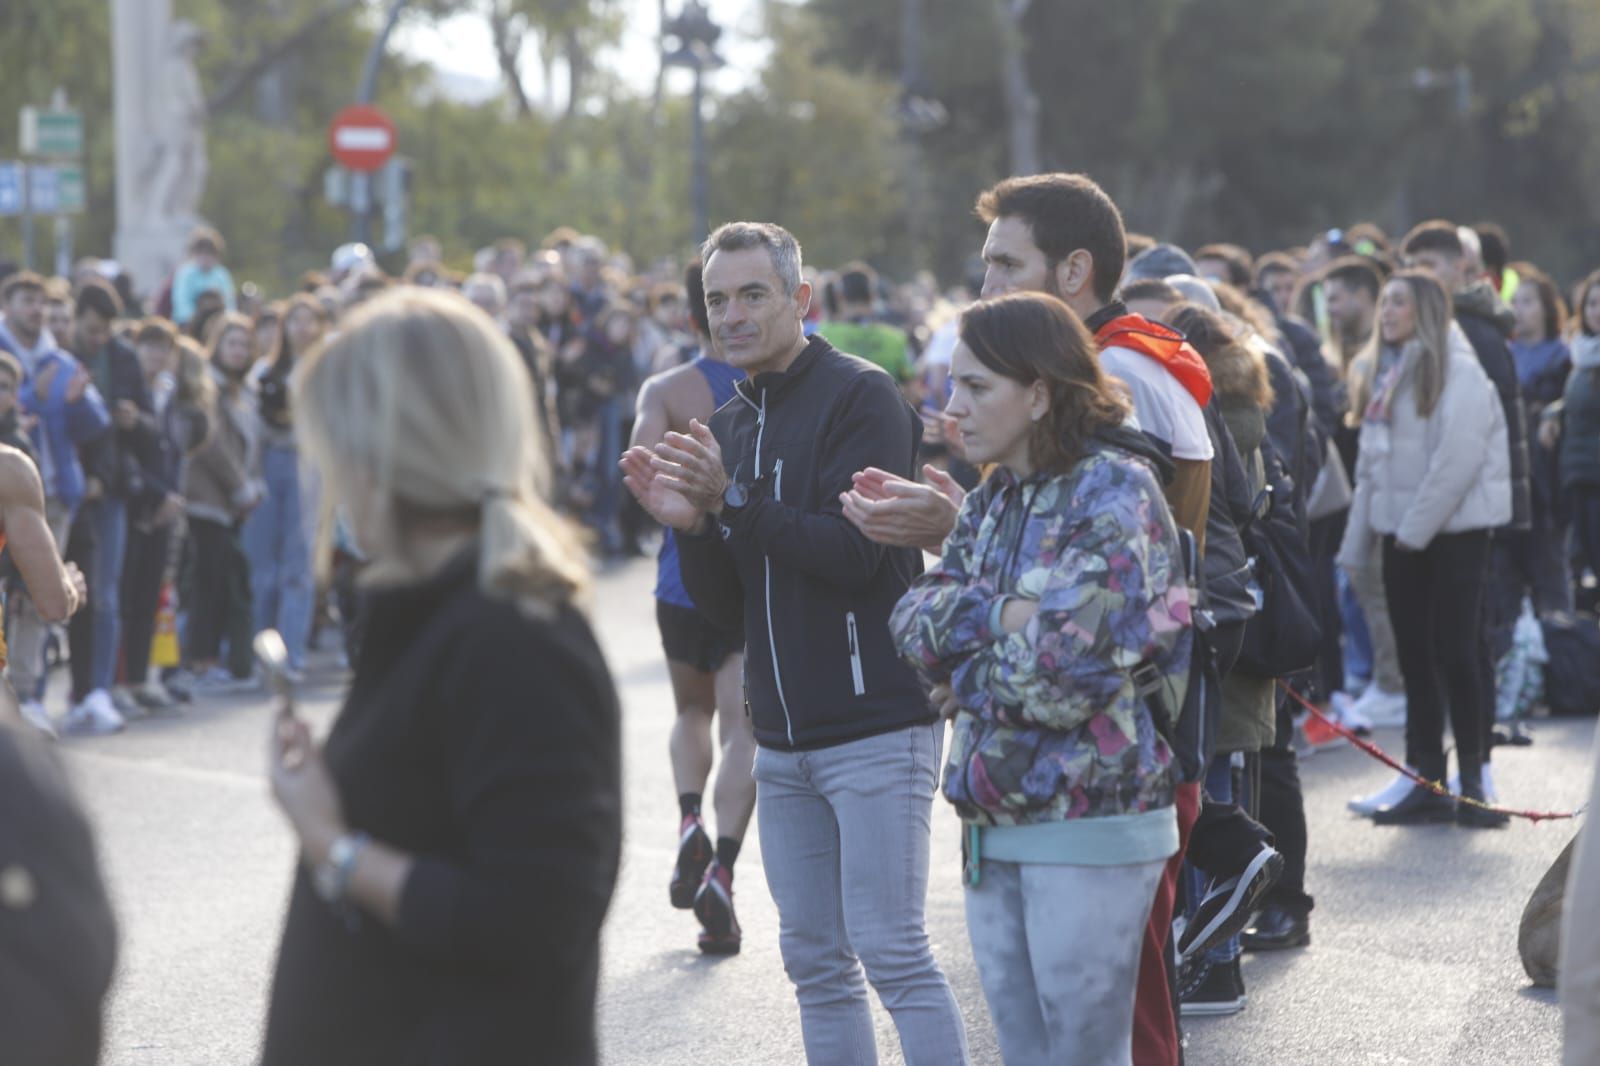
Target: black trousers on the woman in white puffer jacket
x: 1436, y: 603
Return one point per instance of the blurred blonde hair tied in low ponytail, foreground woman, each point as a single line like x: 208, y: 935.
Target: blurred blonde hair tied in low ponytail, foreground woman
x: 423, y: 398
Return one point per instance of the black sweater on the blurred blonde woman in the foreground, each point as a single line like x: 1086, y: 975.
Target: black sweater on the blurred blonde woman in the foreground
x: 484, y: 743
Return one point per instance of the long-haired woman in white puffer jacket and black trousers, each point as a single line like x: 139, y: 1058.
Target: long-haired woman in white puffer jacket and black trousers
x: 1433, y: 479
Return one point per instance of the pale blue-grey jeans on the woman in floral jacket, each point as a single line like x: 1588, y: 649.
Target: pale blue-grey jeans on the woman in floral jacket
x: 1058, y: 956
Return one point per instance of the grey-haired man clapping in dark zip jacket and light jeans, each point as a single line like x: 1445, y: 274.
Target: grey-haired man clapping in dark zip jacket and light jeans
x: 849, y: 748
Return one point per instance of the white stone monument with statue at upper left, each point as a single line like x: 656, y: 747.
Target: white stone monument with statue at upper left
x: 161, y: 138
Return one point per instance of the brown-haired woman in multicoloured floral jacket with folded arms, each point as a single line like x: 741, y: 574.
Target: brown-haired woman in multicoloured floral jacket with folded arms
x: 1060, y: 587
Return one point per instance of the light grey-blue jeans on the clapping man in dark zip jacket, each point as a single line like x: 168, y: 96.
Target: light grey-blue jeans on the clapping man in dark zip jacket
x: 846, y: 848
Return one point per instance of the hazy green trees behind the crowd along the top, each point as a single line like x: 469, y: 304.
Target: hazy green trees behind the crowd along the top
x: 1220, y: 119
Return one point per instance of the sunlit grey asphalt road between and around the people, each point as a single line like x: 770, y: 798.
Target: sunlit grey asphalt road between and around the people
x: 1415, y: 932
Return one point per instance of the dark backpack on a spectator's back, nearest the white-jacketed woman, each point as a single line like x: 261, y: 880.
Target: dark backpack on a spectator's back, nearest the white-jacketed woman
x: 1286, y: 636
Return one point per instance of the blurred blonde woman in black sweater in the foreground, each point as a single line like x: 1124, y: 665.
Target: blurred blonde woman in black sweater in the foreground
x: 460, y: 830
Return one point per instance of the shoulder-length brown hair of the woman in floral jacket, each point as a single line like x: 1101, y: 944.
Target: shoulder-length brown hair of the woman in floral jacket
x: 1033, y: 337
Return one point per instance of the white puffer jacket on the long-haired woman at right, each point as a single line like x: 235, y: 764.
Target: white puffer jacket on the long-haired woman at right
x: 1418, y: 478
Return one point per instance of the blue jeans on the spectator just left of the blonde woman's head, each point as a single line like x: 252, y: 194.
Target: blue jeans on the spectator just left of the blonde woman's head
x: 279, y: 551
